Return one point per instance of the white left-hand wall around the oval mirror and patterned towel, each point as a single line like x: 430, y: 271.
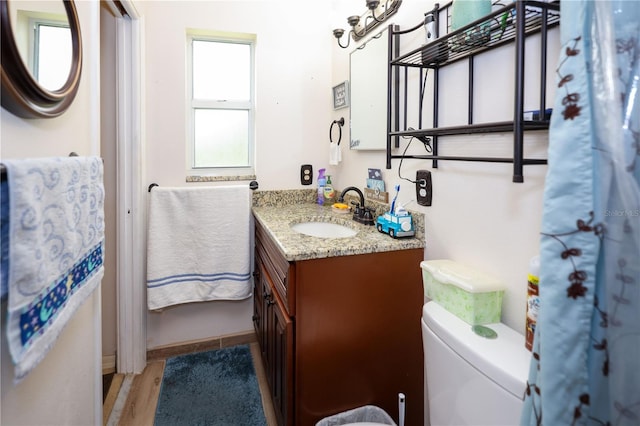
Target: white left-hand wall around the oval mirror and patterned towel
x: 66, y: 388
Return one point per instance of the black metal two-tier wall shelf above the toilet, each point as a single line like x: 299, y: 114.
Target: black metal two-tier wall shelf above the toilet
x: 500, y: 27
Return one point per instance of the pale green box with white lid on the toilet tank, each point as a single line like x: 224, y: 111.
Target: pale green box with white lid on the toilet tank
x: 471, y: 295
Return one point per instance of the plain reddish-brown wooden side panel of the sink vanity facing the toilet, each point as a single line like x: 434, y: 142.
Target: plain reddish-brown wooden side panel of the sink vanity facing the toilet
x: 358, y: 335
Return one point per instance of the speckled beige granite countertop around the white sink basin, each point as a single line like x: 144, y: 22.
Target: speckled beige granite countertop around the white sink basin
x: 278, y: 210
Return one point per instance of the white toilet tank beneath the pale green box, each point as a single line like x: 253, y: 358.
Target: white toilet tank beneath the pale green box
x: 472, y: 380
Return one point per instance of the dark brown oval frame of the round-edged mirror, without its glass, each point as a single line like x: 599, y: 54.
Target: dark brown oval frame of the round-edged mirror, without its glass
x: 22, y: 94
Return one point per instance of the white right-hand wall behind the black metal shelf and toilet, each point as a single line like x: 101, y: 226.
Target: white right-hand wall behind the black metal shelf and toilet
x: 478, y: 216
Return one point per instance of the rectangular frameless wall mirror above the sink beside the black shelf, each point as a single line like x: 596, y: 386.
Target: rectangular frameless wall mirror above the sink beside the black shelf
x: 368, y: 66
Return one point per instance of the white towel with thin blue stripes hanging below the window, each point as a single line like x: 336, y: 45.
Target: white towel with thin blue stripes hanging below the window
x: 198, y: 247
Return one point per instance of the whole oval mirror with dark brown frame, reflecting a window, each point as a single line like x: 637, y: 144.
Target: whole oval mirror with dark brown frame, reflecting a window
x: 41, y: 56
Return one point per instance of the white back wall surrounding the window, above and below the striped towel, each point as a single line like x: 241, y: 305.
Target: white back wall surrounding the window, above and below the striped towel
x: 293, y: 83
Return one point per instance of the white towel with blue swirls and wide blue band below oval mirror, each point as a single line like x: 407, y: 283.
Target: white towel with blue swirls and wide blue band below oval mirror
x: 56, y: 242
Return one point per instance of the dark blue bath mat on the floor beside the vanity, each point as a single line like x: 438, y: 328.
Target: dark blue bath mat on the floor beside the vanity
x: 210, y: 388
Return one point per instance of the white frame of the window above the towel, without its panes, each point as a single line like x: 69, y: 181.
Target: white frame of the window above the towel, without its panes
x: 193, y: 104
